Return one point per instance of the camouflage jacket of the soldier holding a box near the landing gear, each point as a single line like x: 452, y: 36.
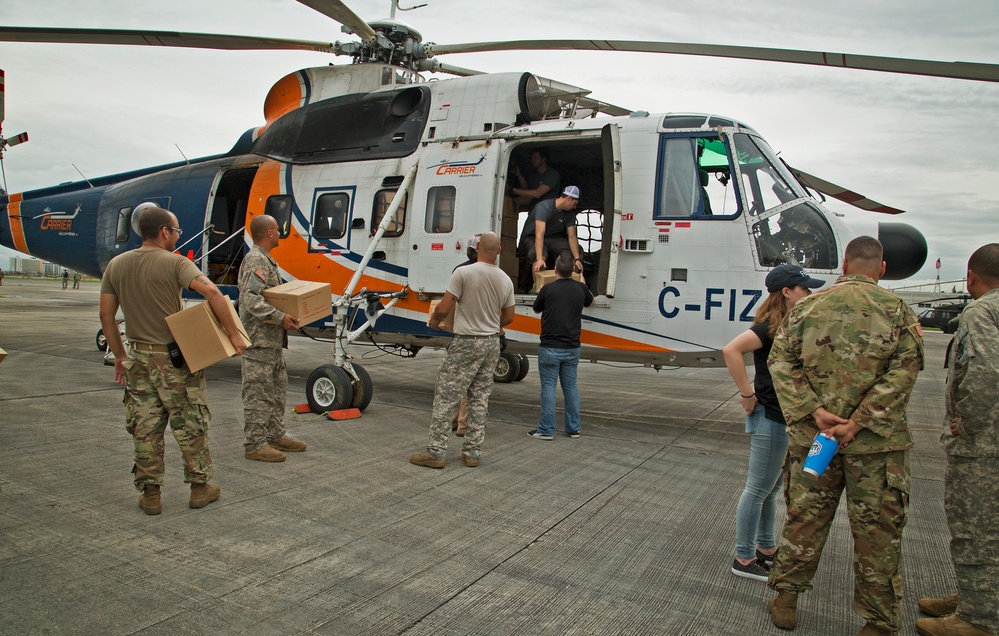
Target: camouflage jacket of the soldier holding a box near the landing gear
x: 262, y: 321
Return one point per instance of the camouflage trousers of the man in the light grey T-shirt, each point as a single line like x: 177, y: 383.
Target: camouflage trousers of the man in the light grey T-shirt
x: 467, y: 369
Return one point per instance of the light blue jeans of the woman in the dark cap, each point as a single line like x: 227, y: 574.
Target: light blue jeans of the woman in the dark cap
x: 754, y: 520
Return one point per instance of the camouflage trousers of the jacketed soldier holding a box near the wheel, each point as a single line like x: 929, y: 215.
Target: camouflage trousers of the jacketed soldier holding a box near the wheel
x: 265, y: 386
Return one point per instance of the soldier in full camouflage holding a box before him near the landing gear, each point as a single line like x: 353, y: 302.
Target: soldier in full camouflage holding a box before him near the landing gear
x: 265, y: 377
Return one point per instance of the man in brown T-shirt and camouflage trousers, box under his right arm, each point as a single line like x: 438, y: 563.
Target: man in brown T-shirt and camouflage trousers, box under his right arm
x: 146, y: 283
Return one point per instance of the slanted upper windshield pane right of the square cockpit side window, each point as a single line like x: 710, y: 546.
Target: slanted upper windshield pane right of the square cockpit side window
x: 766, y: 180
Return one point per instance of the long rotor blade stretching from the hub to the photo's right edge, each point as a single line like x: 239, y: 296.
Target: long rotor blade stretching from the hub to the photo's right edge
x: 955, y: 70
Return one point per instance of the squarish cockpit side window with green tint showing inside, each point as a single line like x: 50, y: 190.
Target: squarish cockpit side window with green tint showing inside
x: 693, y: 179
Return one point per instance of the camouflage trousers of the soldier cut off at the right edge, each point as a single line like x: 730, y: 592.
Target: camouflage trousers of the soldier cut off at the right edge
x: 970, y: 494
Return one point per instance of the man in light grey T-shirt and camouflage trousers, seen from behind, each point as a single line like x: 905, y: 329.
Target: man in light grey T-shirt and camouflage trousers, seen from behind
x: 482, y: 295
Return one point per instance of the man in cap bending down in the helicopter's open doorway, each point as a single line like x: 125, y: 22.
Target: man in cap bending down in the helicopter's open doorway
x: 550, y: 230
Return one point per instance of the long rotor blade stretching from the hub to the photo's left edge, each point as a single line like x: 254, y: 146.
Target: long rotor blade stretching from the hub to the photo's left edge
x: 159, y: 38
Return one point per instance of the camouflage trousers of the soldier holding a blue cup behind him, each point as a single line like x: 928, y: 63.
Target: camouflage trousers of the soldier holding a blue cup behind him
x: 877, y: 503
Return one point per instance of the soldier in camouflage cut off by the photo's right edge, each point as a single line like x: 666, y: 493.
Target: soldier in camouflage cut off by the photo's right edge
x: 971, y: 441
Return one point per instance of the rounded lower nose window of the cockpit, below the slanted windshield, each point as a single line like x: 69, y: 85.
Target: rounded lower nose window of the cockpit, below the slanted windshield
x: 798, y: 235
